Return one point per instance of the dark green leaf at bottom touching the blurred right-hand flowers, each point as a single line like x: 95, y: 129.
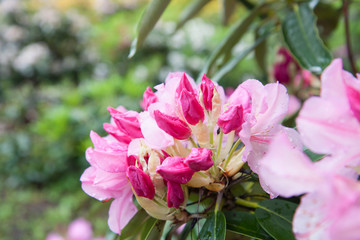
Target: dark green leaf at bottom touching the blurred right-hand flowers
x: 275, y: 217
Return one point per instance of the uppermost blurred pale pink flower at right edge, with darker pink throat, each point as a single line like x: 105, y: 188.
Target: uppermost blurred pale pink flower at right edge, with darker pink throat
x: 329, y: 124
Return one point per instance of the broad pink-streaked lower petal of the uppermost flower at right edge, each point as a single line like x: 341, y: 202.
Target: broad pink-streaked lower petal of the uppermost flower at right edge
x: 326, y: 127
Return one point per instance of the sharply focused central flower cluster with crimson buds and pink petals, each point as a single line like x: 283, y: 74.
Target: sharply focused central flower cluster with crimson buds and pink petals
x: 187, y: 136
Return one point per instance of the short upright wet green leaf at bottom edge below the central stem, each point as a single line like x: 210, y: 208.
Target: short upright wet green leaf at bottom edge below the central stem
x: 214, y: 227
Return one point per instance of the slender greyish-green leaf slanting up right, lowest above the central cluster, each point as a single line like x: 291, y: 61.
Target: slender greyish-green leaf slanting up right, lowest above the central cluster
x: 235, y: 61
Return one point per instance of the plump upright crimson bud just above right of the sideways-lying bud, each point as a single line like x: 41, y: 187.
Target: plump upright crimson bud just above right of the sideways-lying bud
x: 191, y: 108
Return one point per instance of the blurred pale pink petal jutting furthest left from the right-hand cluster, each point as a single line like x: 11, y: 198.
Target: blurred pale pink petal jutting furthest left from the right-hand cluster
x: 286, y: 170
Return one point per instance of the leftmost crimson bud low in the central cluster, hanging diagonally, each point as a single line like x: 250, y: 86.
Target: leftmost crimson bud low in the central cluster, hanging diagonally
x: 140, y: 182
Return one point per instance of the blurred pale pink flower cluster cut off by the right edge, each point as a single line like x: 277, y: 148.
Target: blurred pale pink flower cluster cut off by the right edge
x: 329, y: 125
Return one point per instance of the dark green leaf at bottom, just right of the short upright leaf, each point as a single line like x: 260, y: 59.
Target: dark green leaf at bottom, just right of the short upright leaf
x: 245, y: 223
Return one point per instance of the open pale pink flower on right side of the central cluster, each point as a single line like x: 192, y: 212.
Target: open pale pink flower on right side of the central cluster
x: 269, y: 105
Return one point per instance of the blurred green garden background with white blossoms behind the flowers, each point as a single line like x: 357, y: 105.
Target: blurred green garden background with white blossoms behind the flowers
x: 63, y: 62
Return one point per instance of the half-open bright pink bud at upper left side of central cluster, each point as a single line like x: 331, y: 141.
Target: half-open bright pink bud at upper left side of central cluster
x: 127, y: 122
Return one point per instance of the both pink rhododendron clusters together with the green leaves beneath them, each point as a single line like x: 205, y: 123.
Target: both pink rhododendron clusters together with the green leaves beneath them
x: 193, y: 145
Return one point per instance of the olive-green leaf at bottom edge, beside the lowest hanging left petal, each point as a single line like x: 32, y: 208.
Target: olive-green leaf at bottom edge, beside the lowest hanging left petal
x: 134, y: 225
